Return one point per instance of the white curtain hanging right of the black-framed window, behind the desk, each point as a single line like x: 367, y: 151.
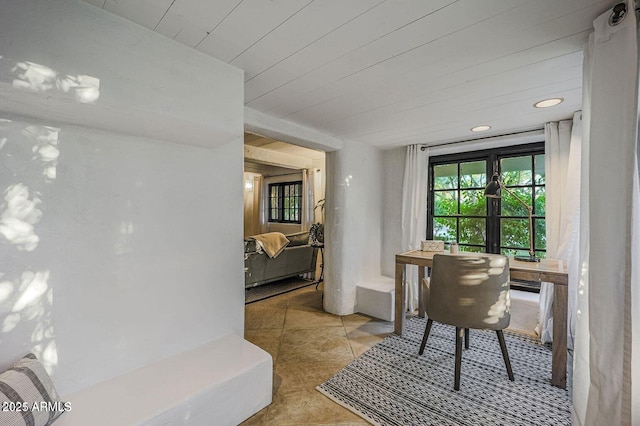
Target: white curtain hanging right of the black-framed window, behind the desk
x: 563, y: 142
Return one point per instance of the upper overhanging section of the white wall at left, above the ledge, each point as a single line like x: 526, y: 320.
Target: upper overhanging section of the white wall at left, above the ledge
x: 167, y: 90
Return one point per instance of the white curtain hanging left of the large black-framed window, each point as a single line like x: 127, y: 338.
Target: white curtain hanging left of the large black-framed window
x: 414, y: 214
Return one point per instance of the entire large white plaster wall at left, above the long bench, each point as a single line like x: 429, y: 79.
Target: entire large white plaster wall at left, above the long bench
x: 119, y: 246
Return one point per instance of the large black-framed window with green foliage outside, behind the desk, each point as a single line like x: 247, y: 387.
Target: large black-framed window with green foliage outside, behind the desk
x: 459, y: 211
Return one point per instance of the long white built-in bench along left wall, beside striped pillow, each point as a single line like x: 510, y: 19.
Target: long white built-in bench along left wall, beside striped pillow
x: 223, y: 383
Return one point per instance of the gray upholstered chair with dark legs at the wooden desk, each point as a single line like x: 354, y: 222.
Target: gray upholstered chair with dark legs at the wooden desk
x: 469, y: 291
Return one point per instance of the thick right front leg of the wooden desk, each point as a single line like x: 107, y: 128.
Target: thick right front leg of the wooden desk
x: 559, y: 346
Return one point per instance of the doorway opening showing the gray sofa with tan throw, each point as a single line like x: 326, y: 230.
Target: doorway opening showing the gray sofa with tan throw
x: 284, y: 192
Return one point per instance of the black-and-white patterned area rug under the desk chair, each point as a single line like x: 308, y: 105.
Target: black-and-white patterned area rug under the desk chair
x: 391, y: 384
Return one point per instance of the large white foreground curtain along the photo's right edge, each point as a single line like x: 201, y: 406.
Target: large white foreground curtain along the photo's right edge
x: 606, y: 373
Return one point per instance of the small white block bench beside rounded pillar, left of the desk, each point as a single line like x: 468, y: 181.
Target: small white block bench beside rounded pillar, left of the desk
x: 375, y: 297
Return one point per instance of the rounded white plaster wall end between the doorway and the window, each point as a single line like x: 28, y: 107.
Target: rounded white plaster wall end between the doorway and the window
x: 353, y: 223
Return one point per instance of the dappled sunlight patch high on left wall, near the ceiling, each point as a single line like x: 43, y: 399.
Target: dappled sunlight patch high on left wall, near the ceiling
x: 40, y: 78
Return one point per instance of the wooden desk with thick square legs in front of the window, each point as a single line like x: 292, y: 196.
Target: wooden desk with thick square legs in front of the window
x: 547, y: 270
